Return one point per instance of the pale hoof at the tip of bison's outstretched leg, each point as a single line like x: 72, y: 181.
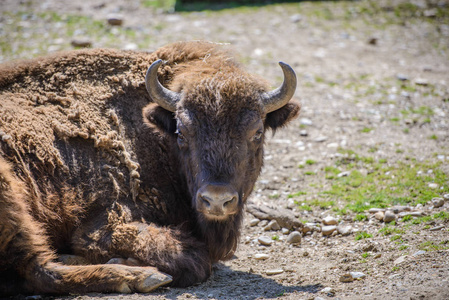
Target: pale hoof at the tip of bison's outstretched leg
x: 143, y: 280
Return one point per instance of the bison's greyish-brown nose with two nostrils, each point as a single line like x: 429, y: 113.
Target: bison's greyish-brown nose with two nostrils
x: 217, y: 200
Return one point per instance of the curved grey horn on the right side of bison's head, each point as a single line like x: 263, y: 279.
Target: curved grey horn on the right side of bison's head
x: 279, y: 97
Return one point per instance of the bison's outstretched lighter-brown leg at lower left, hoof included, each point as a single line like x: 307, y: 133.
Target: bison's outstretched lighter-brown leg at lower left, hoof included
x: 26, y: 260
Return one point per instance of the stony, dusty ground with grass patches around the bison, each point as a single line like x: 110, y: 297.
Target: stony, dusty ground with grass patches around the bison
x: 373, y: 133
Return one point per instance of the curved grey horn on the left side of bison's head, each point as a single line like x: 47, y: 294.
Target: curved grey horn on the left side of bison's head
x: 161, y: 95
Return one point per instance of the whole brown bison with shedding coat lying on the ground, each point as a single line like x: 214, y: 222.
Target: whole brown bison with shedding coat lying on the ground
x: 113, y: 181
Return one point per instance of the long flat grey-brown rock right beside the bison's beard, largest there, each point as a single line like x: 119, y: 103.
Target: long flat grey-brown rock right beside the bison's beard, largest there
x: 284, y: 217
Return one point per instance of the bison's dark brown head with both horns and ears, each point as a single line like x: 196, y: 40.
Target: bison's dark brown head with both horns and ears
x: 218, y: 117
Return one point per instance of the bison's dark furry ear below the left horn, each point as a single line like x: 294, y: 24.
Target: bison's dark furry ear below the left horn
x: 160, y: 118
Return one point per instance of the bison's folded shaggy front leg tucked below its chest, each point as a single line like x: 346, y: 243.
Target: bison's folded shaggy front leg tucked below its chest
x: 169, y: 250
